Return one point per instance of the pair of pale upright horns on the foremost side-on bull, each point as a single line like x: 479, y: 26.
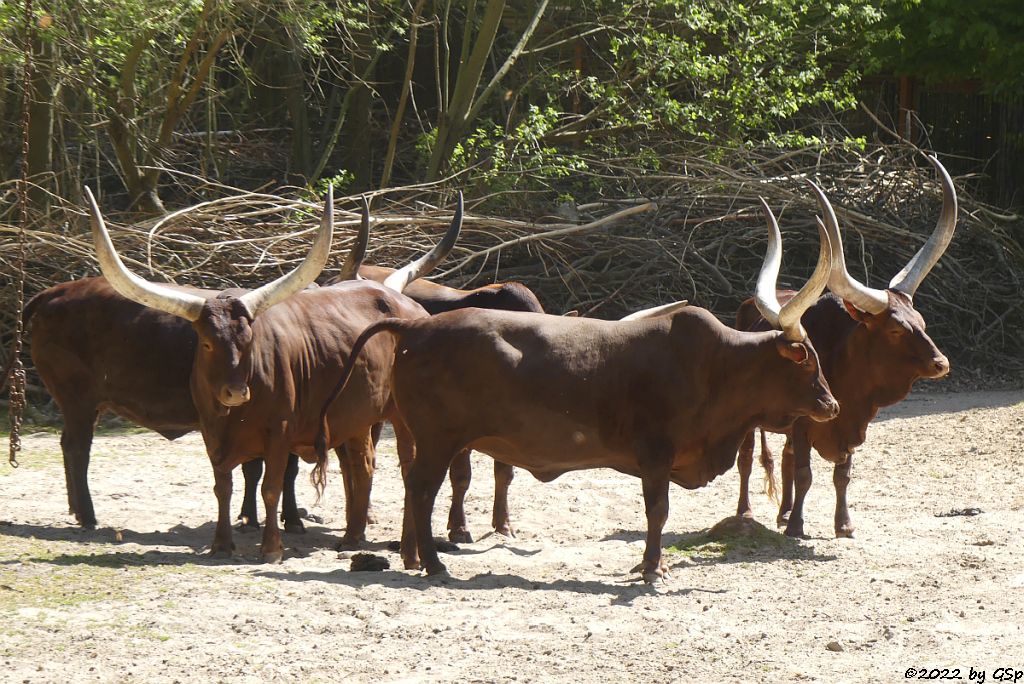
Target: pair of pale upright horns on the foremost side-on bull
x: 788, y: 318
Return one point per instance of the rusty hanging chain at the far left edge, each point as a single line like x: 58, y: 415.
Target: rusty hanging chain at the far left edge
x: 17, y: 406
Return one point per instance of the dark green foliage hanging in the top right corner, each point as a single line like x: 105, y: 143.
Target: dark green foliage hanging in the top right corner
x: 949, y: 40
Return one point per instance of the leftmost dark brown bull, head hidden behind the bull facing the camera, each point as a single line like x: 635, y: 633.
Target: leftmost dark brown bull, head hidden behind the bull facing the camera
x: 97, y: 351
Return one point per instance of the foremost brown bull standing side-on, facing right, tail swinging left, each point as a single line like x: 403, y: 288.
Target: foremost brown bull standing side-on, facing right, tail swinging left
x: 664, y: 399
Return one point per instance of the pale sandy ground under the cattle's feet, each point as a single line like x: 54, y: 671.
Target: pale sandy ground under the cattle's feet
x: 140, y: 601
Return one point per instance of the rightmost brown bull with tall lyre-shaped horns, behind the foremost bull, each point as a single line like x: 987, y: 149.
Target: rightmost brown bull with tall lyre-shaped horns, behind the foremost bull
x: 873, y: 347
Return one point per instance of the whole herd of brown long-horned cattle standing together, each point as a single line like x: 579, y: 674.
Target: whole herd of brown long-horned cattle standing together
x: 290, y: 370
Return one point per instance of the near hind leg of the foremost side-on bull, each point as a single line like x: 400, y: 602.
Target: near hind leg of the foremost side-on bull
x: 422, y: 483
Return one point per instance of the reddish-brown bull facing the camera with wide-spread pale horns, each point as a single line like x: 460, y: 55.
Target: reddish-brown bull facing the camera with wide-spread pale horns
x: 261, y: 368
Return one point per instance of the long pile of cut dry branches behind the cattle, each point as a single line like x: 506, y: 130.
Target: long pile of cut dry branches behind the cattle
x: 704, y: 242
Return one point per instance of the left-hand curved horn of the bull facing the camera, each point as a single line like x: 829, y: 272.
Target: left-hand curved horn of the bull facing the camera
x: 130, y: 285
